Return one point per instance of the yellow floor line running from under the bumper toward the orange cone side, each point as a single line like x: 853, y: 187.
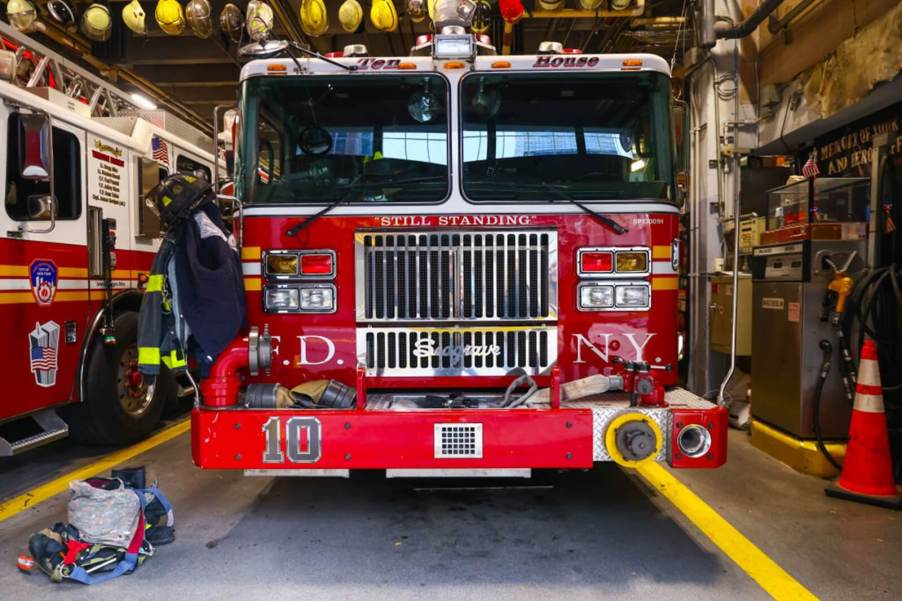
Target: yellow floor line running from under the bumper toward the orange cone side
x: 752, y: 560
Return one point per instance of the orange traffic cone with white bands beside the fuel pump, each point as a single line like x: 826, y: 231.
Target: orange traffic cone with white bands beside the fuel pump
x: 867, y: 473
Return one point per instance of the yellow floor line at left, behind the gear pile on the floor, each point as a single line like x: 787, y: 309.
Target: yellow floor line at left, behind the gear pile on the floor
x: 50, y: 489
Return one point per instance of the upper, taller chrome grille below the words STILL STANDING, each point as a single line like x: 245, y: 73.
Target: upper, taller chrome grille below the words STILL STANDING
x: 442, y: 276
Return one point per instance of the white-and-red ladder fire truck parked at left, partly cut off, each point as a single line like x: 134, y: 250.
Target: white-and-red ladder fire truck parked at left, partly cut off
x: 75, y: 243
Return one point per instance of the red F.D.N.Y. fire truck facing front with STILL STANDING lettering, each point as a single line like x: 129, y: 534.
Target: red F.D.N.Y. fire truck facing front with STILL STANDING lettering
x: 481, y: 250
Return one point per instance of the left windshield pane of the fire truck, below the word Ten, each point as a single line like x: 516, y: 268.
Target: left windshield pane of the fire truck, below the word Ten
x: 325, y: 140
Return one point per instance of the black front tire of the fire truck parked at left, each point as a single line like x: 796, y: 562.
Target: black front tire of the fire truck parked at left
x: 115, y: 410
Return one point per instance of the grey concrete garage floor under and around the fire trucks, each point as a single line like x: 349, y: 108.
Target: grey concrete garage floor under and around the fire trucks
x: 601, y: 534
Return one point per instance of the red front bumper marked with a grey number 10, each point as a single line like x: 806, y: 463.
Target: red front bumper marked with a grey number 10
x: 575, y: 436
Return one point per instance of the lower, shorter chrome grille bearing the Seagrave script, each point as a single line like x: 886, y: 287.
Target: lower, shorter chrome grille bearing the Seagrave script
x: 480, y: 351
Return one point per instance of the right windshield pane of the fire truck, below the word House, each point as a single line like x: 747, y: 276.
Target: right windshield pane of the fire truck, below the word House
x: 594, y: 136
